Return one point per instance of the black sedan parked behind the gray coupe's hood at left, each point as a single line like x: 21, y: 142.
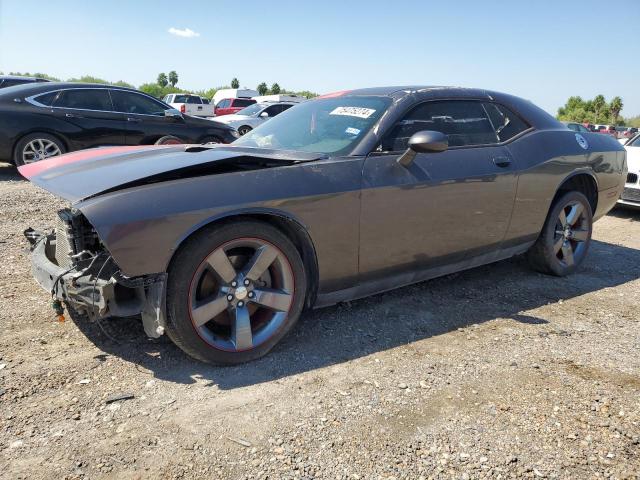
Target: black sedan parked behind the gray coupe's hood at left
x: 42, y: 120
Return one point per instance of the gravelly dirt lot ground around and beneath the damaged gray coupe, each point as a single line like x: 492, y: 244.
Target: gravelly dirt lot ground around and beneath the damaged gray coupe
x: 497, y: 372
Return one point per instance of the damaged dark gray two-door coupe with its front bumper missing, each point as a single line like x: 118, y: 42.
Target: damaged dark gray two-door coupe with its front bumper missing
x: 350, y: 194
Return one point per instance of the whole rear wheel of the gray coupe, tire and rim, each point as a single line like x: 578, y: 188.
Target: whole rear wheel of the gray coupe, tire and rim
x: 544, y: 255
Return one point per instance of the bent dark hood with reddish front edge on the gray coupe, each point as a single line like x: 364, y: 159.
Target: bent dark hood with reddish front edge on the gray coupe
x: 80, y: 175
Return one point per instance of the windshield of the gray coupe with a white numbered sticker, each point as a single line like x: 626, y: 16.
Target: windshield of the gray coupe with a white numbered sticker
x: 326, y: 125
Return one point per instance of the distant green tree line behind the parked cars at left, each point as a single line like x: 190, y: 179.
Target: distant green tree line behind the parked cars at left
x: 167, y: 83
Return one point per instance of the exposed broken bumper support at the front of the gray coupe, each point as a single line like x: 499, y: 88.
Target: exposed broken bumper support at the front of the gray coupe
x: 98, y: 291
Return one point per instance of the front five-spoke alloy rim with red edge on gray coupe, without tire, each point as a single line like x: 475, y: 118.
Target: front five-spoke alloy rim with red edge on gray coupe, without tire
x: 241, y: 294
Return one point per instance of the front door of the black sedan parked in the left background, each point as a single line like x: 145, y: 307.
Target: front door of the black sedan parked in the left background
x: 145, y: 118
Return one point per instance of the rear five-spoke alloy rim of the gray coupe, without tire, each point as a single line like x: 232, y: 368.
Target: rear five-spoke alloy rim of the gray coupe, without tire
x: 571, y: 233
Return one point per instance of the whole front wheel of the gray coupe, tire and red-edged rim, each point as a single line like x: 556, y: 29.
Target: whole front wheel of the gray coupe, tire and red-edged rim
x: 234, y: 291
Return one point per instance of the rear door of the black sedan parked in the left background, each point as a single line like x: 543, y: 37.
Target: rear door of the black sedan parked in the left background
x: 91, y: 118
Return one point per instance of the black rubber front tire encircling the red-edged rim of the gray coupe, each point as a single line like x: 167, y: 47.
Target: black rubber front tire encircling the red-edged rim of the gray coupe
x: 198, y: 341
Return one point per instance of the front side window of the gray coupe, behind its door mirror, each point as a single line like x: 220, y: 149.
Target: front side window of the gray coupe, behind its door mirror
x: 464, y: 122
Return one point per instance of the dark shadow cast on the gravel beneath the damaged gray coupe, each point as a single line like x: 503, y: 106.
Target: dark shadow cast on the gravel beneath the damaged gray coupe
x: 332, y: 335
